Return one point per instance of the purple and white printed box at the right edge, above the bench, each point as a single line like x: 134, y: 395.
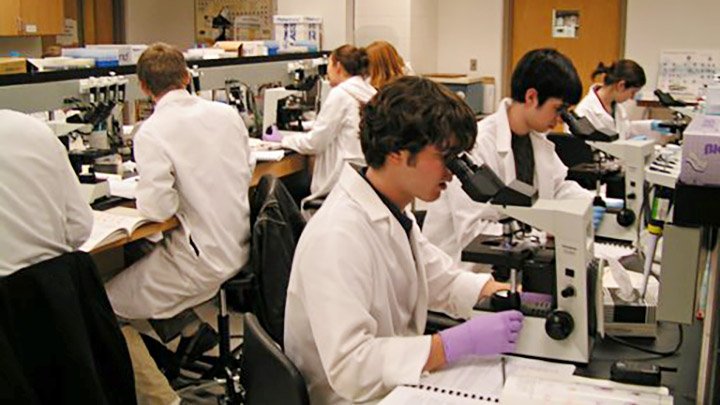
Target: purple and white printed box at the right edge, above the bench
x: 701, y: 152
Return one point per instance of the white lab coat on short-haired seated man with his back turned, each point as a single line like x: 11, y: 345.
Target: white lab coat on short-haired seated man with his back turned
x: 194, y: 162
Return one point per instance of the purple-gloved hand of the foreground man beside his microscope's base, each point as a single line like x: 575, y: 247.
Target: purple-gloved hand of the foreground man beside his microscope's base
x: 482, y: 335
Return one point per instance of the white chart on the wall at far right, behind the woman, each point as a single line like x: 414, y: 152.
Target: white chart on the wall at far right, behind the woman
x: 685, y: 73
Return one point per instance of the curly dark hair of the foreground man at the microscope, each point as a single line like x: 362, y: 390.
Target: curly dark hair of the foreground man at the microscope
x: 411, y: 113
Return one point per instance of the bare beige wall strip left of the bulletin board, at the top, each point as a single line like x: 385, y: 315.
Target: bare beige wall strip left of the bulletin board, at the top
x: 171, y: 21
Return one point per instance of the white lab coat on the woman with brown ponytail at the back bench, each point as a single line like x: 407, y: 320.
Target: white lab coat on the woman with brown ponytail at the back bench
x: 334, y: 138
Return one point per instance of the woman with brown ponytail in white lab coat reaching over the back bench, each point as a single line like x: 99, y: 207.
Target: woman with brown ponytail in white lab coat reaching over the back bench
x: 334, y: 136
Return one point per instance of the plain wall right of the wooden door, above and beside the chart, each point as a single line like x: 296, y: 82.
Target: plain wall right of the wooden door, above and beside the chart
x: 656, y: 25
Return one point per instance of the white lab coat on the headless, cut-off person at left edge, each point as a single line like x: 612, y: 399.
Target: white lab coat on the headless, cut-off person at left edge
x: 42, y: 211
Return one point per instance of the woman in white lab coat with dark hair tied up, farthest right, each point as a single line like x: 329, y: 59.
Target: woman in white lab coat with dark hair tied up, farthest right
x: 603, y: 104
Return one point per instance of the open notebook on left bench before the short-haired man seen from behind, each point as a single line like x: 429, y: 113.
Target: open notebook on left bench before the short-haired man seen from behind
x: 111, y: 225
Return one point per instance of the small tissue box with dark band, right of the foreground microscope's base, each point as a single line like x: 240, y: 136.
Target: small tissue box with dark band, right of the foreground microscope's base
x: 636, y: 318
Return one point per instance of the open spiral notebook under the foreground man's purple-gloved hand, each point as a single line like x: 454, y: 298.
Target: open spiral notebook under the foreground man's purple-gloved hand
x: 475, y: 380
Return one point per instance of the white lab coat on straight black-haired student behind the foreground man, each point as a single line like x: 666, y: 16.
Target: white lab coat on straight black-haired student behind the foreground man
x: 454, y: 220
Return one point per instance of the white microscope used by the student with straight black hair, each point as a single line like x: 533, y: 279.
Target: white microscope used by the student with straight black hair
x: 619, y: 224
